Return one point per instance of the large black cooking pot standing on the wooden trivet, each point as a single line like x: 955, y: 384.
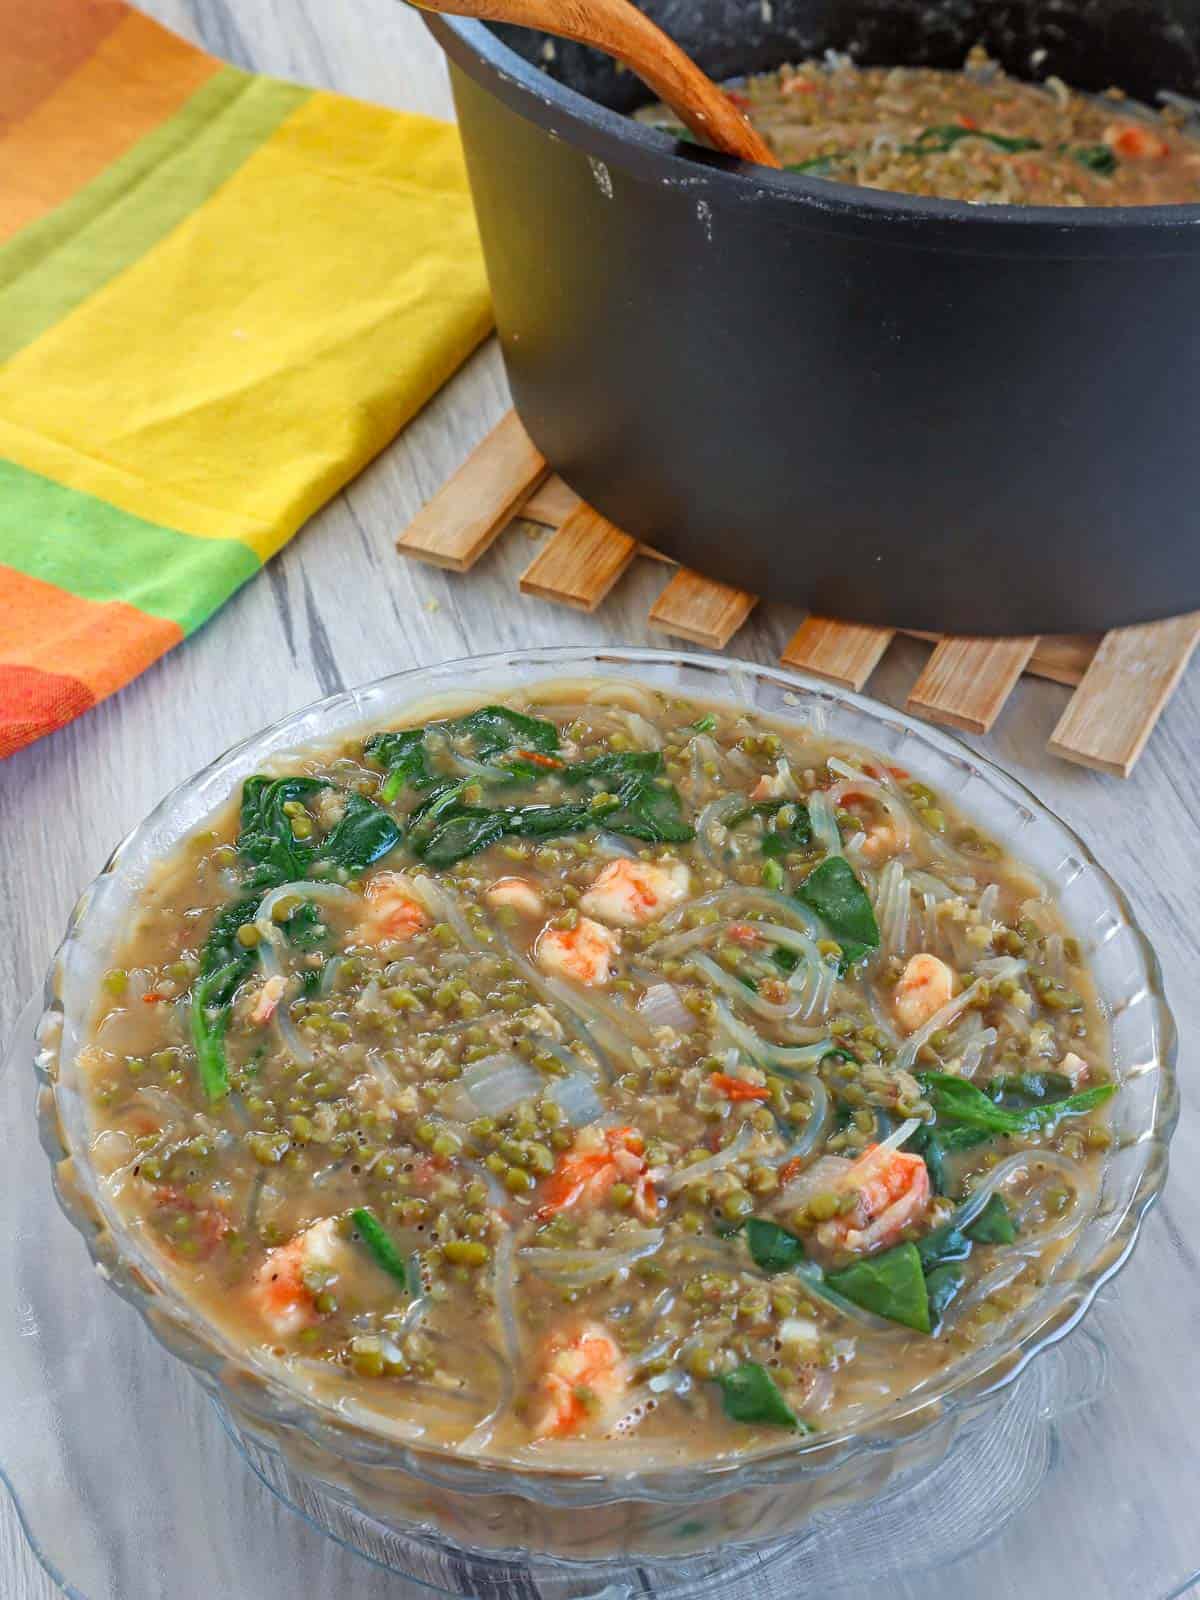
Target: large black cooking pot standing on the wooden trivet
x: 902, y: 410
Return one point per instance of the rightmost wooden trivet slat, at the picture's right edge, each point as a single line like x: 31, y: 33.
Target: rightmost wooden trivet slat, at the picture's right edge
x: 1110, y: 718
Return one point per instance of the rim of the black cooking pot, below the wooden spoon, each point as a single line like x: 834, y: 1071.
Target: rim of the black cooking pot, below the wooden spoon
x: 646, y: 154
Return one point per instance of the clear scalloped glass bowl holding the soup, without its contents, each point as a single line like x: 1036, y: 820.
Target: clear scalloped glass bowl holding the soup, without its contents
x: 658, y: 1513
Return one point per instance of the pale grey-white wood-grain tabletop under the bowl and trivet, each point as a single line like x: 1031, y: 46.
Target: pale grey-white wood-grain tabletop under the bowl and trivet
x: 340, y: 607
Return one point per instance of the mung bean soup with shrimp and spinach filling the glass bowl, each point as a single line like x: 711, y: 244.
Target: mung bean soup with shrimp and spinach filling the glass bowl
x: 612, y: 1071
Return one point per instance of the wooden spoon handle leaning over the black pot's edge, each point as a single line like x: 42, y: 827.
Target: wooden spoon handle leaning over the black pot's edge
x: 620, y: 30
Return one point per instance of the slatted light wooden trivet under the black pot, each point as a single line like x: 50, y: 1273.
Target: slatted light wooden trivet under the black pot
x: 1126, y: 678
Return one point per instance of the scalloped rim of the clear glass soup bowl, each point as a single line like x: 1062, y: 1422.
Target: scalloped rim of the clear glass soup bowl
x: 1046, y: 1321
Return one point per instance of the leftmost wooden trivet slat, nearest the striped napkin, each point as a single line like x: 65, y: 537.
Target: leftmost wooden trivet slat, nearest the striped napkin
x: 462, y: 521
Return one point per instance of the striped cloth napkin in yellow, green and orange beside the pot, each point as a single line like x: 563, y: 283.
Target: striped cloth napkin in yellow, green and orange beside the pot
x: 220, y: 297
